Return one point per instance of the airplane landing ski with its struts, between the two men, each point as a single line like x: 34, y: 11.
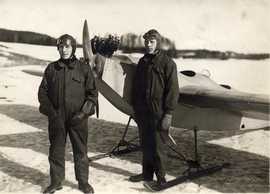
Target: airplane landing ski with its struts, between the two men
x: 123, y: 147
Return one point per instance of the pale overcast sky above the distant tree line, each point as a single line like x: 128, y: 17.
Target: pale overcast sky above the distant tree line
x: 239, y: 25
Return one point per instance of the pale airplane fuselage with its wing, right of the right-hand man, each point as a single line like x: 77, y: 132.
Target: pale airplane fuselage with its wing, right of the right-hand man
x: 209, y: 106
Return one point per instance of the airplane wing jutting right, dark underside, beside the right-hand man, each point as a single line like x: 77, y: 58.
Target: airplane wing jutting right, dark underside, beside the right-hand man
x: 249, y: 105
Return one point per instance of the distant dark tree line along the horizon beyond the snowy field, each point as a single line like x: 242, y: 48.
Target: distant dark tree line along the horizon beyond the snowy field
x: 130, y: 43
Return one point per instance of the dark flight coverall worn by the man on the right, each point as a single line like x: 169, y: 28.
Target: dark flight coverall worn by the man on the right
x: 156, y: 93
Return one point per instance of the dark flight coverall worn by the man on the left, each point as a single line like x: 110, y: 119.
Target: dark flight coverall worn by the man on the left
x: 68, y: 87
